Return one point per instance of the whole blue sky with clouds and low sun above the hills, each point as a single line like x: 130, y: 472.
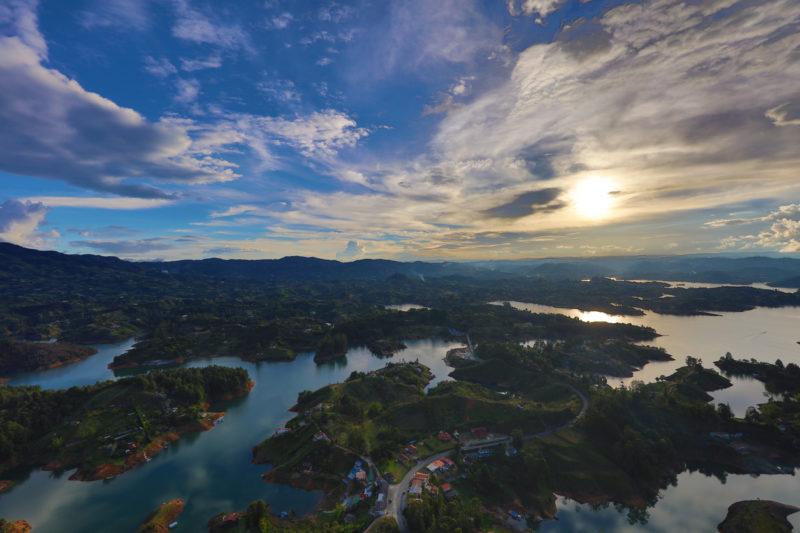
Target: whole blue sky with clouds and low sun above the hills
x: 409, y: 130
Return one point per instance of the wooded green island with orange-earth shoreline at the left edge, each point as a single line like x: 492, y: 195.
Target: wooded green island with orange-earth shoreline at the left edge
x: 108, y: 428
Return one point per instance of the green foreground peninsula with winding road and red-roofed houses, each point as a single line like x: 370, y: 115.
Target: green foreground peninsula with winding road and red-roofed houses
x: 514, y: 431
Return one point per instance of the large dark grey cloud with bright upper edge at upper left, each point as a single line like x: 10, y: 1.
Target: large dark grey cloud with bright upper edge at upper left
x: 54, y: 128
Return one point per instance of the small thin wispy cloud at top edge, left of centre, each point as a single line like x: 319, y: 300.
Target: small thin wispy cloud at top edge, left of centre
x: 195, y: 26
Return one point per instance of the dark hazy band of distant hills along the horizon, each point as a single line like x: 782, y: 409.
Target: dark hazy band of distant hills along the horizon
x: 15, y: 260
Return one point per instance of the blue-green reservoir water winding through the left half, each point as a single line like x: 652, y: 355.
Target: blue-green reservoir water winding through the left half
x: 211, y: 471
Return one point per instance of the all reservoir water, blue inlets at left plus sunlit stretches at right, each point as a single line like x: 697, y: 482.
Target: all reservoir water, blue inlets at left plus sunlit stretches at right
x: 212, y: 471
